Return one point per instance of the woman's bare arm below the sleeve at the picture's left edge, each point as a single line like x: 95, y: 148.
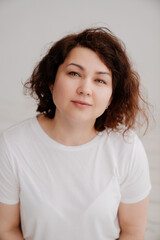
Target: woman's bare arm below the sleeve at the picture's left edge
x: 9, y: 222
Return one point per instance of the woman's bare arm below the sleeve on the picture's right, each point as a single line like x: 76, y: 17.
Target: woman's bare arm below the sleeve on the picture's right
x: 132, y: 220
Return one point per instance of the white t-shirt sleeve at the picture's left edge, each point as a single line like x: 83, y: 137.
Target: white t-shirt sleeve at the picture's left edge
x: 9, y: 187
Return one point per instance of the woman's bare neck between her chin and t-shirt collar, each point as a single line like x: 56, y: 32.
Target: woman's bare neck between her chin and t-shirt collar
x: 67, y: 133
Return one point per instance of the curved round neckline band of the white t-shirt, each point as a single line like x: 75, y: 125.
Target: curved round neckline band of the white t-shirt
x: 48, y: 140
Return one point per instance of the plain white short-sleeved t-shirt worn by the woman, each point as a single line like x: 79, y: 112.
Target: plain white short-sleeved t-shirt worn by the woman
x: 70, y: 192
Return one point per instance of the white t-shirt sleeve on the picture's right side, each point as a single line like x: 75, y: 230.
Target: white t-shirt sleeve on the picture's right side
x: 136, y: 185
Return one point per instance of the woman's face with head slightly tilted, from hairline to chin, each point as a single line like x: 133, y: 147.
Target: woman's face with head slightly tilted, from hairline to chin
x: 83, y: 86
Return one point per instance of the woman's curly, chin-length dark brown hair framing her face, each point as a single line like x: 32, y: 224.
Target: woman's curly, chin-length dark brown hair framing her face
x: 126, y: 96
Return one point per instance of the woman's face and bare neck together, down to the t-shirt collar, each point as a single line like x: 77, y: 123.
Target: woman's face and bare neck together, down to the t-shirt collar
x: 82, y: 78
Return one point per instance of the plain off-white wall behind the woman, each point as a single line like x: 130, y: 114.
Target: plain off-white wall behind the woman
x: 29, y: 27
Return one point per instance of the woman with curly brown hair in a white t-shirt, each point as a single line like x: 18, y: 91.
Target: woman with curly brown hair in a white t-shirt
x: 77, y: 170
